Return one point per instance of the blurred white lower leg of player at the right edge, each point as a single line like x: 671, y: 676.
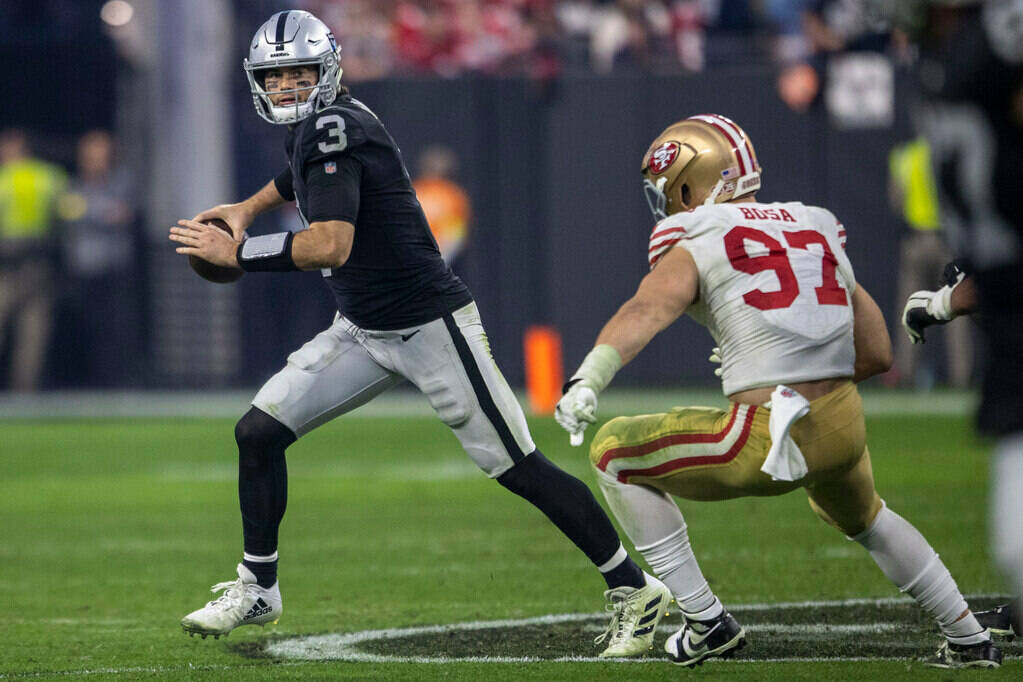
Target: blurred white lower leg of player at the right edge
x: 1007, y: 510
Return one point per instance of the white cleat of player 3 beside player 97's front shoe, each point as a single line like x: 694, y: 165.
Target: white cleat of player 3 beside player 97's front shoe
x: 637, y: 613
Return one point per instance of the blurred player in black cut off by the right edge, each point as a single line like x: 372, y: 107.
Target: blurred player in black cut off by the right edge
x: 971, y: 79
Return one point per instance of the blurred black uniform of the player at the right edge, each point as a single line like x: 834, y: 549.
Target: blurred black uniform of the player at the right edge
x: 972, y: 78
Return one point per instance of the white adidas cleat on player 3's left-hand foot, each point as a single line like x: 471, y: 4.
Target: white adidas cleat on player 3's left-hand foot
x: 244, y: 603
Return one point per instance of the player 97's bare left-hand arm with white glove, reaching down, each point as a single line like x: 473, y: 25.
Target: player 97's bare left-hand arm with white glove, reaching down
x: 663, y: 296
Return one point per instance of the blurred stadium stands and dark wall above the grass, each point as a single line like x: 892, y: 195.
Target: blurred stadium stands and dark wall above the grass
x: 543, y: 110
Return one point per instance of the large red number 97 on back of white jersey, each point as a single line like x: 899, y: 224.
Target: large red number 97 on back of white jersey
x: 777, y: 260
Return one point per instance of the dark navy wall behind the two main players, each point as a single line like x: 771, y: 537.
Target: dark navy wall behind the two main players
x: 560, y: 224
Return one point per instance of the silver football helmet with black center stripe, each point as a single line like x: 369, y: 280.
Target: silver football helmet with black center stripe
x: 294, y: 38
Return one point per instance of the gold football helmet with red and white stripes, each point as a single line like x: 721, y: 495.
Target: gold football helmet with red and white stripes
x: 705, y: 159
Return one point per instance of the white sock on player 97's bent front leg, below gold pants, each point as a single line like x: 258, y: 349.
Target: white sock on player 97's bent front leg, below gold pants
x: 655, y: 525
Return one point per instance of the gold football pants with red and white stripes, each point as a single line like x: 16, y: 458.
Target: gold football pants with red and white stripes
x: 703, y: 453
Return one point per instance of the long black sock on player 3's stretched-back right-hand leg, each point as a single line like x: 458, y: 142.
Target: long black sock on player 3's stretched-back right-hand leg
x: 570, y: 506
